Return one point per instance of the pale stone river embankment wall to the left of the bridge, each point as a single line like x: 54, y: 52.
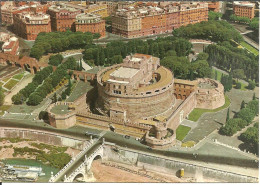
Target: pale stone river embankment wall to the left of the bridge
x: 42, y: 136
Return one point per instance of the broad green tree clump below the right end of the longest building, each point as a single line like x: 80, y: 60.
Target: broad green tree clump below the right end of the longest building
x: 217, y: 31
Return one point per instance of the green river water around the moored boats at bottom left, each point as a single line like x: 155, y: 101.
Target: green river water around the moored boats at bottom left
x: 30, y: 162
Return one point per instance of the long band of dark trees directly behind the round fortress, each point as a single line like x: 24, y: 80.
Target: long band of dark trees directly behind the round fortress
x: 98, y: 55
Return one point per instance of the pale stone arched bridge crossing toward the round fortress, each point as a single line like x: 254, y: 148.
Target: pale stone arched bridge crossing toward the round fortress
x: 80, y: 165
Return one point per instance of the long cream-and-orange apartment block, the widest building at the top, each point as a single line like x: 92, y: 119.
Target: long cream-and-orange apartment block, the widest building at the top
x: 133, y: 22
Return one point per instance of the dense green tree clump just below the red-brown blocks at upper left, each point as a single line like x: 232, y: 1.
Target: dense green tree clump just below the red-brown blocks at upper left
x: 54, y: 42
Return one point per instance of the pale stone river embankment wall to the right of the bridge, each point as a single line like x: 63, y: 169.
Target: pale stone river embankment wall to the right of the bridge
x: 173, y: 166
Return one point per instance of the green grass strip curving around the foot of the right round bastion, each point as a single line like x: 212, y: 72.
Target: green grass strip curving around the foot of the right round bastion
x: 196, y: 113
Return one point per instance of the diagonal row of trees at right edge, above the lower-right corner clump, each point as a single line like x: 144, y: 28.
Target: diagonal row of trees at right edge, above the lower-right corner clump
x: 242, y: 119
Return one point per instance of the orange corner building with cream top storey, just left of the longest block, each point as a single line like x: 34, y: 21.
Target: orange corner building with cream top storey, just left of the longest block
x: 90, y: 23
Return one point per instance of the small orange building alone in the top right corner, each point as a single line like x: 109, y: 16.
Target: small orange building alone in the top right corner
x: 244, y: 9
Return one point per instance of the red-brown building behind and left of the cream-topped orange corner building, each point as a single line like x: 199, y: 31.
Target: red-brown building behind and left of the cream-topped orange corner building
x: 62, y: 17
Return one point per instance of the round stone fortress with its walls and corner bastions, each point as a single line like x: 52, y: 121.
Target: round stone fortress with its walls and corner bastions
x: 142, y: 99
